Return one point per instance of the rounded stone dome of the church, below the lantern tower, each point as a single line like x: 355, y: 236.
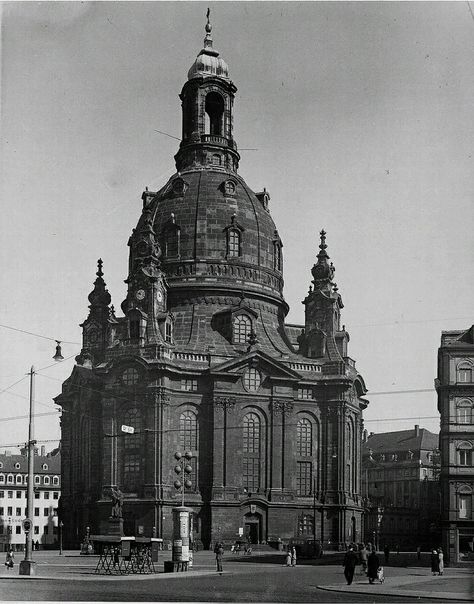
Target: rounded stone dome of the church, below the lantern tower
x: 197, y: 215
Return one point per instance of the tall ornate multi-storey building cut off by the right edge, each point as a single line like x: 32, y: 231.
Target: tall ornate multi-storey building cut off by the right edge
x: 455, y: 387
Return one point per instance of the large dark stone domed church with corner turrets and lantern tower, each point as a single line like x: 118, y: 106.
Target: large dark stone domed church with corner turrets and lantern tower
x: 201, y: 360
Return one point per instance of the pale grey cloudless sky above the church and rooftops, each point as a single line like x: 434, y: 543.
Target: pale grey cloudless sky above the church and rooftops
x: 361, y: 114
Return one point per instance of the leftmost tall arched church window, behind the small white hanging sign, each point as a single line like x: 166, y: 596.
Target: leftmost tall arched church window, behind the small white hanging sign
x: 131, y: 451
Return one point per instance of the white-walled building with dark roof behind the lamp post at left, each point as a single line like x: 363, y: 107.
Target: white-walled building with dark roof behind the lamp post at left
x: 13, y: 501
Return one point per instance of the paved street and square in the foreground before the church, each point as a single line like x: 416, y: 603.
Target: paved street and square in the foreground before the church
x: 261, y: 579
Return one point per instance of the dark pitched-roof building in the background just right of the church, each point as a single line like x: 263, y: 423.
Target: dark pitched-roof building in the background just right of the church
x: 400, y: 475
